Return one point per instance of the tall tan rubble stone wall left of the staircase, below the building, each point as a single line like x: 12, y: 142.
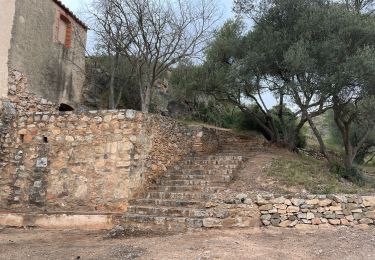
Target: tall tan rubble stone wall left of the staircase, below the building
x: 89, y: 161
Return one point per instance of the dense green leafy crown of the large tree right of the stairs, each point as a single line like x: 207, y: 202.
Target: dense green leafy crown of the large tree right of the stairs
x: 309, y: 52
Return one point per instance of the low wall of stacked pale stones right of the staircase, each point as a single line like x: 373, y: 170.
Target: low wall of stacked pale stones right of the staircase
x: 347, y: 210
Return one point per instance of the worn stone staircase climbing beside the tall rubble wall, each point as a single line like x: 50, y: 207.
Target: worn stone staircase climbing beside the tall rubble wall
x: 178, y: 201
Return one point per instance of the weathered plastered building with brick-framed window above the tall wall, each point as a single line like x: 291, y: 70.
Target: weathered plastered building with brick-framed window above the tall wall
x: 45, y: 42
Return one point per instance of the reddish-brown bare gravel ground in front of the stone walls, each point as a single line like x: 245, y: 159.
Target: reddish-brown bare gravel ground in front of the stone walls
x: 270, y: 243
